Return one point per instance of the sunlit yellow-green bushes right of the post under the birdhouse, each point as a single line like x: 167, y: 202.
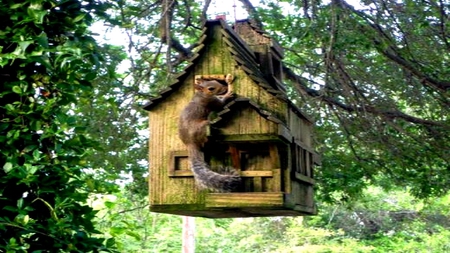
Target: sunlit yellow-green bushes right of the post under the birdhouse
x: 379, y: 222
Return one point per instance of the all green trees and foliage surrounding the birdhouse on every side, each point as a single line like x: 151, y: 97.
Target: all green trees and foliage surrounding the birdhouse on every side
x: 373, y: 74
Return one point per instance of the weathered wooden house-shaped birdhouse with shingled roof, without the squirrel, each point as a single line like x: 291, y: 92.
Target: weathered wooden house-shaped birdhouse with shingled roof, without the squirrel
x: 259, y: 132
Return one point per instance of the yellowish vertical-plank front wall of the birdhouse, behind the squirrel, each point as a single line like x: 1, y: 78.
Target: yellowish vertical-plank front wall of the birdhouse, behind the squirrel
x: 164, y: 141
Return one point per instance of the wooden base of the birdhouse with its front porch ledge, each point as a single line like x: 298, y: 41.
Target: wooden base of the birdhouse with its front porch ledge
x: 238, y: 205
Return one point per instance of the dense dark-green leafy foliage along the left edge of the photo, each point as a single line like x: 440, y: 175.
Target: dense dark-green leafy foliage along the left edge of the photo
x: 47, y: 63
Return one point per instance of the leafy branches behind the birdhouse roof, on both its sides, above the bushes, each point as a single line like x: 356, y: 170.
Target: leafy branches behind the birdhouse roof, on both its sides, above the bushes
x: 372, y: 74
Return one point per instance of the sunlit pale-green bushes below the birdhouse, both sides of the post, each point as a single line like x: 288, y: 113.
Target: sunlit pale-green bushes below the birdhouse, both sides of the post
x: 377, y: 222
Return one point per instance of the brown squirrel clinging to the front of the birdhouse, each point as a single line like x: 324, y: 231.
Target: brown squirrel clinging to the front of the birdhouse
x: 209, y: 96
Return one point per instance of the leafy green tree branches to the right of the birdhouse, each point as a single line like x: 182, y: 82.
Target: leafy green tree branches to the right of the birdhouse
x: 375, y: 84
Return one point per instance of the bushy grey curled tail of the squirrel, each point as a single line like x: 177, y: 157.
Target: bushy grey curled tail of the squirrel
x: 208, y: 179
